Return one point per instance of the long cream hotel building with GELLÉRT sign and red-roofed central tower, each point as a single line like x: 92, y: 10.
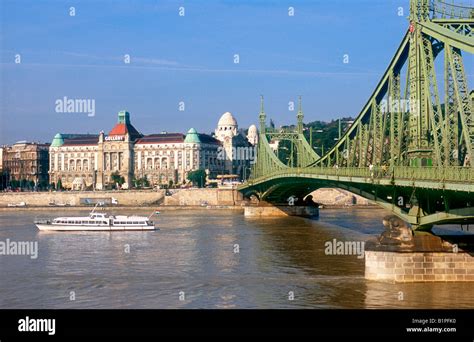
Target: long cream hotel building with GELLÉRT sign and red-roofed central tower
x: 92, y: 161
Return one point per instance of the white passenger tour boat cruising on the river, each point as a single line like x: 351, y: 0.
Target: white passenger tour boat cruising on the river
x: 97, y: 222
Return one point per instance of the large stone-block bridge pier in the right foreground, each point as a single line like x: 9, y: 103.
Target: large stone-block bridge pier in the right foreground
x: 401, y: 255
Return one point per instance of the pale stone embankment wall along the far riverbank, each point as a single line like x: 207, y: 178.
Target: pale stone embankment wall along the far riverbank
x: 174, y: 199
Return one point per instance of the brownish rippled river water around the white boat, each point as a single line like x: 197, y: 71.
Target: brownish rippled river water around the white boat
x: 207, y: 259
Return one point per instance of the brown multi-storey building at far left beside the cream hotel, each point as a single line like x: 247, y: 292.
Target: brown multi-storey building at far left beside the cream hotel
x: 26, y: 161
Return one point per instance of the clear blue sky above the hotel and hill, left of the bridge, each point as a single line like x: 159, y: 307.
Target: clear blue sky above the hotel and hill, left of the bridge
x: 48, y: 54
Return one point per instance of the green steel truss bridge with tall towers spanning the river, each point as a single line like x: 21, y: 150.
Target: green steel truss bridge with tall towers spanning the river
x: 411, y: 149
